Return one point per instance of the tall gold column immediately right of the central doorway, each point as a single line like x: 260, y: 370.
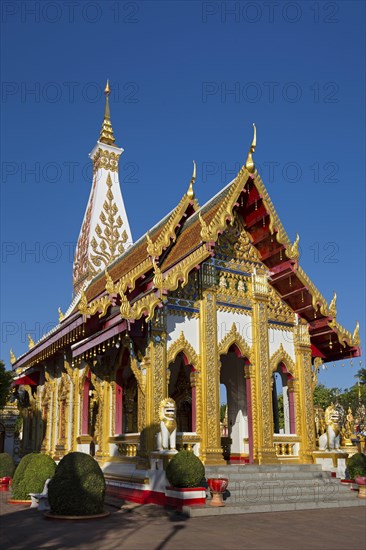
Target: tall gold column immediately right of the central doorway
x: 263, y: 402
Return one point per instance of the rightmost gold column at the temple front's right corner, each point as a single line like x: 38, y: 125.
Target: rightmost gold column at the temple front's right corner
x: 305, y: 390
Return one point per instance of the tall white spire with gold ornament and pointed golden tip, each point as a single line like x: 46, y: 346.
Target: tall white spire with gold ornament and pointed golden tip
x: 105, y: 232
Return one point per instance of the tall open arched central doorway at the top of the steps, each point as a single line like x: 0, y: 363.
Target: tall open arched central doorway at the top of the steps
x: 235, y: 440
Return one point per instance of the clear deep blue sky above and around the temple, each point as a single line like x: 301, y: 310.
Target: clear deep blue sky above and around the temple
x: 188, y: 80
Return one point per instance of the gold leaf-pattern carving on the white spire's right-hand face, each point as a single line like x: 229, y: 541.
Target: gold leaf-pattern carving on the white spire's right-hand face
x: 111, y: 239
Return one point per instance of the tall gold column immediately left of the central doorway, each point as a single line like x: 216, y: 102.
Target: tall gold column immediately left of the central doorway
x: 211, y: 451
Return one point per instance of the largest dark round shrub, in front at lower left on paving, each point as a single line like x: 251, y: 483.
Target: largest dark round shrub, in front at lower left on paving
x: 78, y: 487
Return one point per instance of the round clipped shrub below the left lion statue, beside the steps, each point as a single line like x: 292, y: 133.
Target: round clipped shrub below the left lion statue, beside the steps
x: 185, y: 470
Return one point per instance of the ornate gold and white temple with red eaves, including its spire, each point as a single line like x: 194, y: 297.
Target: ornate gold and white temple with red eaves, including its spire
x: 211, y: 295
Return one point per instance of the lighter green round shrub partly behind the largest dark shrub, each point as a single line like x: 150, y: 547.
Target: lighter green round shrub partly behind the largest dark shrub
x: 31, y: 474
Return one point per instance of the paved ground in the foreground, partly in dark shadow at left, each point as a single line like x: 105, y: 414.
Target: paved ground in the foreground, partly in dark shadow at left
x: 151, y: 528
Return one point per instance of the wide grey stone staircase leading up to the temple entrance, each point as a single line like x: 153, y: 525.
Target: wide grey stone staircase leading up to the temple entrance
x: 276, y: 488
